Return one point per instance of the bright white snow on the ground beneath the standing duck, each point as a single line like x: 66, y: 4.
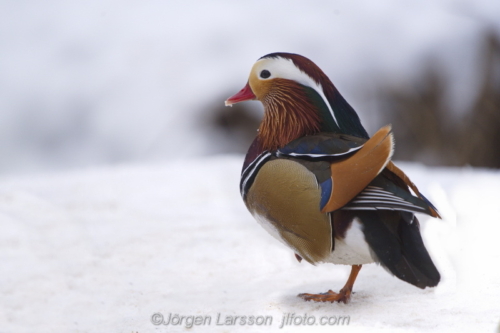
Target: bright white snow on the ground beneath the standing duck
x: 103, y: 249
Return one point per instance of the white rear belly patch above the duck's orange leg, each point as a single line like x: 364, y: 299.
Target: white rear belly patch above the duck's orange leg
x: 353, y: 249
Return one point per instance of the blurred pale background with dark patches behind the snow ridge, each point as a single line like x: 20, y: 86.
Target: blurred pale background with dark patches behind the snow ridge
x: 86, y: 83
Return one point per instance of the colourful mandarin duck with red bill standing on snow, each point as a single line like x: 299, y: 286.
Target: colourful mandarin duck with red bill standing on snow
x: 315, y: 180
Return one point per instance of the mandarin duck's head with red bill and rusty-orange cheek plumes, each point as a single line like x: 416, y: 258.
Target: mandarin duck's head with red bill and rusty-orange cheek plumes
x: 298, y: 98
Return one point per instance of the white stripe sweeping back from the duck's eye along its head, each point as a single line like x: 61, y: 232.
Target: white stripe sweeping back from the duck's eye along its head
x: 285, y: 68
